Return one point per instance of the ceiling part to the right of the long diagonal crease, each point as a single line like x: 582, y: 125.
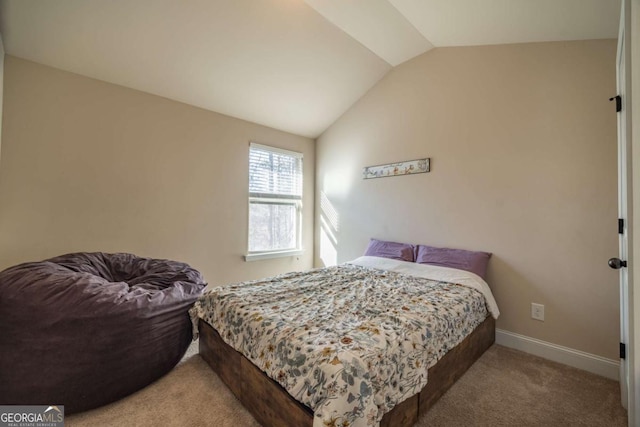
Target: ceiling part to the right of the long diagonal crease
x: 398, y: 30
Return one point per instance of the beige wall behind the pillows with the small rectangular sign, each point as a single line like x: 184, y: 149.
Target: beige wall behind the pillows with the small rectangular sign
x: 522, y: 141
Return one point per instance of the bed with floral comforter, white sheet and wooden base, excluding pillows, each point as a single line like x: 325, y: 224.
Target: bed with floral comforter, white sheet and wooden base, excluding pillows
x: 372, y: 342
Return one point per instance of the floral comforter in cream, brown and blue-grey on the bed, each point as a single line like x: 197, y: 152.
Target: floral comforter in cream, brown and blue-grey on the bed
x: 350, y: 342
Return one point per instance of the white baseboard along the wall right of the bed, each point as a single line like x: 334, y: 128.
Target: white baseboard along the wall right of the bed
x: 578, y: 359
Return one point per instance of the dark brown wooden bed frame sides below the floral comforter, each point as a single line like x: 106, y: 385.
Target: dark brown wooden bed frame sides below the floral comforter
x: 271, y: 405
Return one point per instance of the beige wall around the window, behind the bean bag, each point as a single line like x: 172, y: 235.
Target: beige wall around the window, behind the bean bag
x: 91, y: 166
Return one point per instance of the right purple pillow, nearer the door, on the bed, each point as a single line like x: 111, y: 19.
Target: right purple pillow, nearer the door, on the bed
x: 475, y: 262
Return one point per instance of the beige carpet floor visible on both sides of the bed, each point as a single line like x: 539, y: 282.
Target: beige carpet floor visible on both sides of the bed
x: 504, y: 387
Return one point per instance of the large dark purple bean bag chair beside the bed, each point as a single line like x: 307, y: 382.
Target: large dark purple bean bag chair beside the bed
x: 85, y: 329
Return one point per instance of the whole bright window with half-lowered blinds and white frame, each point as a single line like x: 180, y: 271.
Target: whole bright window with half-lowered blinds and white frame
x: 275, y: 201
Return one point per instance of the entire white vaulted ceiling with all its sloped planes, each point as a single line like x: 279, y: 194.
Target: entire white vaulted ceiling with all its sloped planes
x: 289, y: 64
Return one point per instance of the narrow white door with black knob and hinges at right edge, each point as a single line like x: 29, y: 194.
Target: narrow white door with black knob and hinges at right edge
x: 620, y: 263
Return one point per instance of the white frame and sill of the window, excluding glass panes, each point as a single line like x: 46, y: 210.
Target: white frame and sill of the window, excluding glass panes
x: 276, y: 199
